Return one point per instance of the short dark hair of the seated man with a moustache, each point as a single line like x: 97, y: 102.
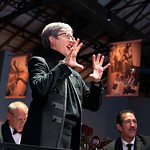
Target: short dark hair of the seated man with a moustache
x: 119, y: 116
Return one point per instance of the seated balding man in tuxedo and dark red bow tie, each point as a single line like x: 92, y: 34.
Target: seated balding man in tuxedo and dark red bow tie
x: 11, y: 130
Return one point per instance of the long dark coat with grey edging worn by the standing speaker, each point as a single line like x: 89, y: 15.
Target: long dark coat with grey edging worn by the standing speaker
x: 48, y: 79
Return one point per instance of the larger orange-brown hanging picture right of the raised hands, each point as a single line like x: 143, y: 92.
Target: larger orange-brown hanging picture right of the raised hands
x: 123, y: 75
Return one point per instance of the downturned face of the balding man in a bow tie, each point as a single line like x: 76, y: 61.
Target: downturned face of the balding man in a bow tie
x: 17, y: 119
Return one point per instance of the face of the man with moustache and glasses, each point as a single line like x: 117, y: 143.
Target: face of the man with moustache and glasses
x: 129, y: 127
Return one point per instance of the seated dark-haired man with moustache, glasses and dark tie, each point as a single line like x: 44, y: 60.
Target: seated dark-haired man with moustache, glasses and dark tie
x: 127, y: 125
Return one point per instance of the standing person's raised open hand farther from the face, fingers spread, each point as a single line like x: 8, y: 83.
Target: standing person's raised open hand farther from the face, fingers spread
x: 97, y: 67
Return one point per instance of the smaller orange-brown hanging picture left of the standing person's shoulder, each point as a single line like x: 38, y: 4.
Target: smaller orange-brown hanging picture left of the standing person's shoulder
x: 18, y: 77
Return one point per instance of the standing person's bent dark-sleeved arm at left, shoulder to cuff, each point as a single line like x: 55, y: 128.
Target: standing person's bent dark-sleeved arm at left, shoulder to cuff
x: 42, y: 79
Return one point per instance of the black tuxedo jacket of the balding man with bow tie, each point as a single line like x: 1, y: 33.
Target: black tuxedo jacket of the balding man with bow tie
x: 5, y: 133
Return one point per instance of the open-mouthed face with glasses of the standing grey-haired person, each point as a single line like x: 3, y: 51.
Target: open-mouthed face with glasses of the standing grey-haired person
x: 63, y: 42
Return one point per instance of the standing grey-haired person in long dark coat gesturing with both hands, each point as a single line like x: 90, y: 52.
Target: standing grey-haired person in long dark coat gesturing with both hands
x: 59, y: 93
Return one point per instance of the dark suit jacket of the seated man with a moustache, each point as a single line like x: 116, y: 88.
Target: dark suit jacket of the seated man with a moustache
x: 141, y: 143
